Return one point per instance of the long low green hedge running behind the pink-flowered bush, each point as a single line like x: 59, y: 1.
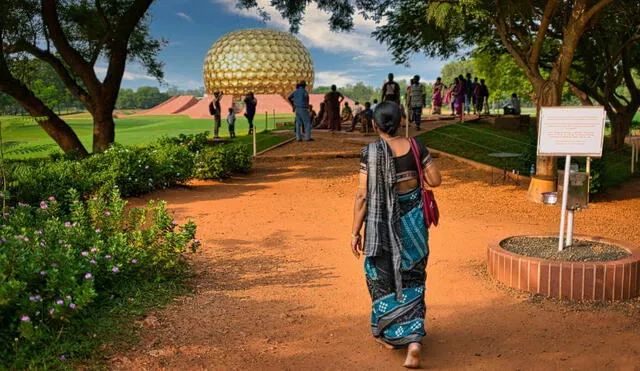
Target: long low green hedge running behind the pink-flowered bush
x: 132, y: 170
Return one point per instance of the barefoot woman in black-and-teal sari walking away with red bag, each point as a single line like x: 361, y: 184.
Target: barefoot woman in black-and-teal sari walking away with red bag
x: 395, y: 243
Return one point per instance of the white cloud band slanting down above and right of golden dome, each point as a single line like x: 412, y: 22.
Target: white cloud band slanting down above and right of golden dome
x: 315, y: 33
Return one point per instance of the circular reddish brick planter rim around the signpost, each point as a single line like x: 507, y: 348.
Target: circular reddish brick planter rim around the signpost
x: 612, y: 280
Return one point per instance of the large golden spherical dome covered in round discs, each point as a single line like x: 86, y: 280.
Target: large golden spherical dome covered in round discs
x: 261, y: 60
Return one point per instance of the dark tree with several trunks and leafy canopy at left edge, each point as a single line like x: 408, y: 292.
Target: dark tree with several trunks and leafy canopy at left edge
x: 72, y: 37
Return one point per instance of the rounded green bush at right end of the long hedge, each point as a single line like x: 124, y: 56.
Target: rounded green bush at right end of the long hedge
x: 220, y: 162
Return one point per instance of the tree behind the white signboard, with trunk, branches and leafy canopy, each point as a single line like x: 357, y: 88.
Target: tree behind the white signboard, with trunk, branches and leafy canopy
x: 525, y: 29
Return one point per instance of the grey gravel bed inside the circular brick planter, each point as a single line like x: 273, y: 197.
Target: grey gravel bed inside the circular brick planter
x: 547, y: 248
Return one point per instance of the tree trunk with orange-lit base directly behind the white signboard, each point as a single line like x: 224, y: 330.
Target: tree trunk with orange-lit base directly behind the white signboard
x: 549, y: 94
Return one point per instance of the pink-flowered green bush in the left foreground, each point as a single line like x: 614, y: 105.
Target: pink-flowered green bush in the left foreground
x: 56, y: 264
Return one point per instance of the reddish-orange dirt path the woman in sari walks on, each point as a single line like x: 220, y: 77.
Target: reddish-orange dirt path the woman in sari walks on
x: 278, y: 288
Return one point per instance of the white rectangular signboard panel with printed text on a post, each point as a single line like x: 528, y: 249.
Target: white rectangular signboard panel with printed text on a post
x: 571, y: 131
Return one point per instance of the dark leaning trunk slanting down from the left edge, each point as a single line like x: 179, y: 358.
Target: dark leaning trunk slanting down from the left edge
x: 57, y: 129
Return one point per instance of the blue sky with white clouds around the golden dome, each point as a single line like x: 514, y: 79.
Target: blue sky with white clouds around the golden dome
x: 192, y: 26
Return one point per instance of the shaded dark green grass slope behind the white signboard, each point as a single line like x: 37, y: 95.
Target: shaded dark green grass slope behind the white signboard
x: 476, y: 141
